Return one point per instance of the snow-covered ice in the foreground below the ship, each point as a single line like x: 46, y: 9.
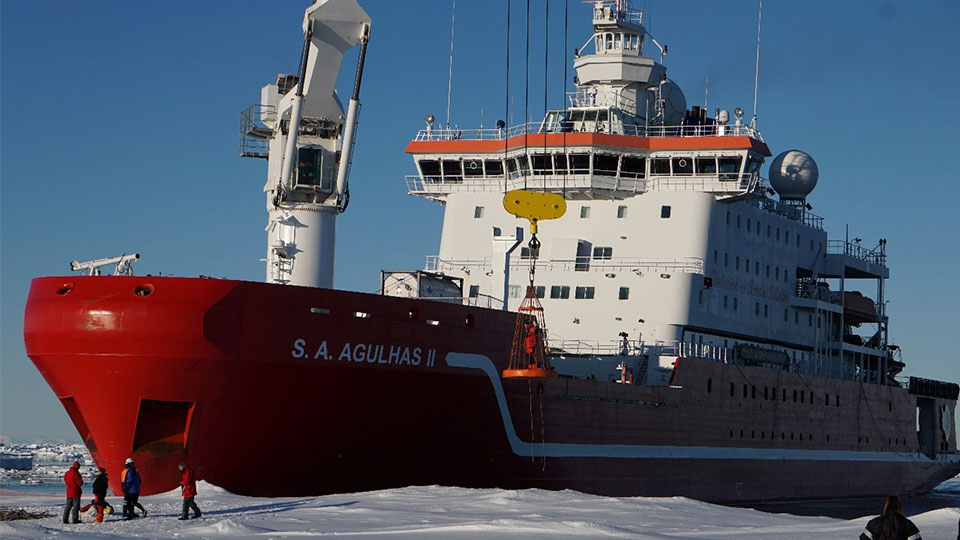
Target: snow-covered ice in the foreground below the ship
x: 434, y: 512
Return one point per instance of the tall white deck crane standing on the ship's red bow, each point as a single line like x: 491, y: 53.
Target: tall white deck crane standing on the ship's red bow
x: 301, y: 128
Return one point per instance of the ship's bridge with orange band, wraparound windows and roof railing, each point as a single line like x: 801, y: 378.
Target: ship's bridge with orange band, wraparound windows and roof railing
x: 590, y: 152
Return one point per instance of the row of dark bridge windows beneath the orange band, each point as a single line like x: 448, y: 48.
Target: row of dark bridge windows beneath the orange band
x: 602, y: 164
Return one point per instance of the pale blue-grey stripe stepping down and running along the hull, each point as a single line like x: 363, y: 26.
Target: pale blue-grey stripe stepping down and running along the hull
x: 522, y: 448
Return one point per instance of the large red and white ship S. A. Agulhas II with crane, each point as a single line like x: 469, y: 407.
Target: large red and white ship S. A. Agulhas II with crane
x: 665, y: 322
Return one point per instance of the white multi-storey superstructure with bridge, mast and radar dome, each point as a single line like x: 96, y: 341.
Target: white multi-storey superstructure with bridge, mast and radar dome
x: 671, y: 236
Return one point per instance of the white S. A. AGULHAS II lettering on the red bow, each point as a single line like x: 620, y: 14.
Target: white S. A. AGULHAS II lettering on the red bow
x: 370, y: 353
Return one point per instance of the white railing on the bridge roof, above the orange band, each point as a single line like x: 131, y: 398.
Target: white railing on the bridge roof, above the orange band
x: 485, y: 134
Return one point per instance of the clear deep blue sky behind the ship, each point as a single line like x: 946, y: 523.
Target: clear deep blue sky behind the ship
x: 119, y: 125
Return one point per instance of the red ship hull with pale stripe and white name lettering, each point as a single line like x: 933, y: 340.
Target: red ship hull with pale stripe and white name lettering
x: 358, y: 392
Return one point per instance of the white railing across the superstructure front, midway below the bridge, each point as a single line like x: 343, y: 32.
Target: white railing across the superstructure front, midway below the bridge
x: 685, y: 265
